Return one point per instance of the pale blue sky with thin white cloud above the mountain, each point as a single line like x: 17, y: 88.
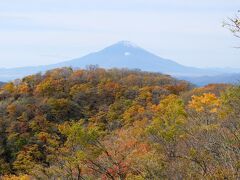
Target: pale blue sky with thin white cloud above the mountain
x: 49, y: 31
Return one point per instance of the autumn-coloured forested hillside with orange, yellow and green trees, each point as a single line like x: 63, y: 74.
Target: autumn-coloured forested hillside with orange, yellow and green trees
x: 117, y: 124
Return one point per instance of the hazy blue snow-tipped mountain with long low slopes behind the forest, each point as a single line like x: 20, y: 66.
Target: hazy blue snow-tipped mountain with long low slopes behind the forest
x: 123, y: 54
